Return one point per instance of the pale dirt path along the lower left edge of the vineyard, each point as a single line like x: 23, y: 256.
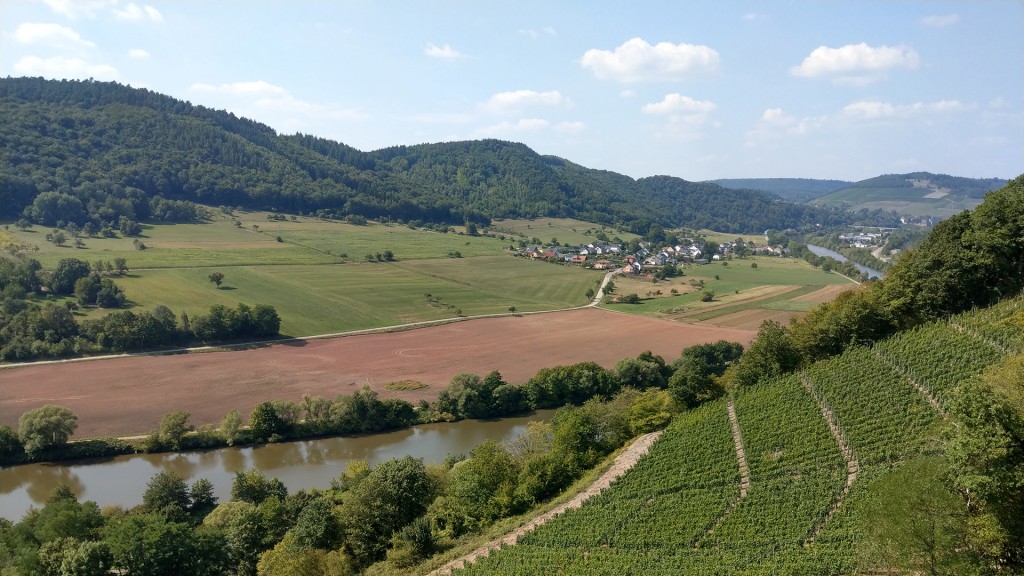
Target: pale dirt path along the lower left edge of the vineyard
x: 622, y: 465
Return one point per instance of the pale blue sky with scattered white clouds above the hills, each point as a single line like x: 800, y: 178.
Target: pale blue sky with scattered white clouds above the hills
x: 700, y: 91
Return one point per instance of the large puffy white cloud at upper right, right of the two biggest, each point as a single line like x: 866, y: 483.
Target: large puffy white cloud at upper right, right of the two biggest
x: 858, y: 64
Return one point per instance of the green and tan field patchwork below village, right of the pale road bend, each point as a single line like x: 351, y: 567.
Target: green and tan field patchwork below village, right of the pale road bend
x: 778, y: 284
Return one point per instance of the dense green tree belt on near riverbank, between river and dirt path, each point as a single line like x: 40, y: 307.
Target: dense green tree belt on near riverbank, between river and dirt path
x: 400, y: 512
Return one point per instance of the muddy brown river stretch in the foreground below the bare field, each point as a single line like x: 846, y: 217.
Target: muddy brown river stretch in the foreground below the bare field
x: 311, y: 464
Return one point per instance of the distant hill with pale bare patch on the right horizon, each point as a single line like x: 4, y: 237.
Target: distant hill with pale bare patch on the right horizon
x: 919, y: 194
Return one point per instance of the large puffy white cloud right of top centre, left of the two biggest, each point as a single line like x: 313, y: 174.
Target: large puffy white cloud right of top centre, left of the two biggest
x: 636, y: 61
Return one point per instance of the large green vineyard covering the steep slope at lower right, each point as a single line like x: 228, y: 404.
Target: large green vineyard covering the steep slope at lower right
x: 680, y: 509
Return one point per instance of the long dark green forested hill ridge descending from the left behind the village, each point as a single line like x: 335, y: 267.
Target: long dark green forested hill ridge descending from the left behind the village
x: 84, y: 151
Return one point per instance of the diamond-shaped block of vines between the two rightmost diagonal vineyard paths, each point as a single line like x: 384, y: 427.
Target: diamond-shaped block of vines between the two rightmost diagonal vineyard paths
x: 938, y: 357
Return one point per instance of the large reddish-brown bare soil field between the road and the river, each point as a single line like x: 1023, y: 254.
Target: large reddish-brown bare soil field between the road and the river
x: 129, y: 396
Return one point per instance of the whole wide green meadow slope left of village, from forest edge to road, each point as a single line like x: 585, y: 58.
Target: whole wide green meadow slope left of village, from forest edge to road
x: 315, y: 290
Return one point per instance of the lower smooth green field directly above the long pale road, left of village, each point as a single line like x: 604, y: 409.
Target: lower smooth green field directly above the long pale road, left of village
x: 317, y: 300
